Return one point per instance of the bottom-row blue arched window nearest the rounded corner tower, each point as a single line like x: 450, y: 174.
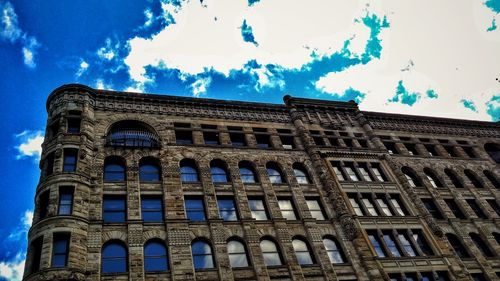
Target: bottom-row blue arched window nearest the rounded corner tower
x: 114, y: 257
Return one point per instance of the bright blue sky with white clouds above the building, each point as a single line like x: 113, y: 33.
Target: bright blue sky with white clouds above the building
x: 438, y: 58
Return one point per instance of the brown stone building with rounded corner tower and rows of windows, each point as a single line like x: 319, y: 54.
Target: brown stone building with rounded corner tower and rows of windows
x: 153, y: 187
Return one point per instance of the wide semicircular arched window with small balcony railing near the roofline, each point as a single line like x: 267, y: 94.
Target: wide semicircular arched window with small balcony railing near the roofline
x: 132, y: 134
